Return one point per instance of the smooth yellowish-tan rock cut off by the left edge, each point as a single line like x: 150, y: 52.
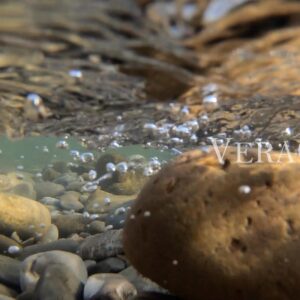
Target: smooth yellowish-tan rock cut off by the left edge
x: 27, y: 217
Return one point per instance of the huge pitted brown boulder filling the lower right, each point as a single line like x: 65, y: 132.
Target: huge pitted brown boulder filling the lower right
x: 212, y: 231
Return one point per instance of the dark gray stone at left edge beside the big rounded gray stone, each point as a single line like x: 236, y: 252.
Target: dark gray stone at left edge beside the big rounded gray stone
x: 9, y: 271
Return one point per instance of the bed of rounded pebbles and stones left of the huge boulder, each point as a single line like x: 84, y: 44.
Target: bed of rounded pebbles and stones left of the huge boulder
x: 61, y: 228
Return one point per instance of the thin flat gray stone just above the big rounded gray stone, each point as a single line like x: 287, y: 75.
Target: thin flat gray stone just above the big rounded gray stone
x: 68, y: 245
